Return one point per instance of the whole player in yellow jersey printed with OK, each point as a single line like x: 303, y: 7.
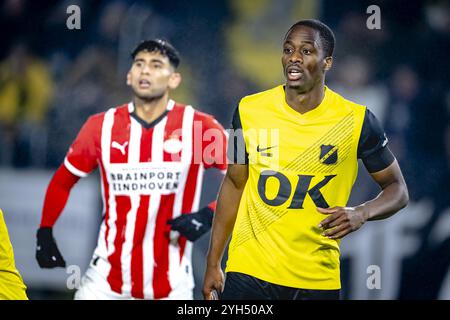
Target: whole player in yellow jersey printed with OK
x: 283, y: 200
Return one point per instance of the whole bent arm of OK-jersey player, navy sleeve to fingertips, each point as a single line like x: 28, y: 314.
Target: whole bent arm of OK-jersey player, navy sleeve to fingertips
x: 384, y: 170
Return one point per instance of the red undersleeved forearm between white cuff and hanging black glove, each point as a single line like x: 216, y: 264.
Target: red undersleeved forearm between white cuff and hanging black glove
x: 58, y: 192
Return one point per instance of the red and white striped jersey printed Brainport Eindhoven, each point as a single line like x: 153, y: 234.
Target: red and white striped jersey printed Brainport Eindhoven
x: 150, y: 174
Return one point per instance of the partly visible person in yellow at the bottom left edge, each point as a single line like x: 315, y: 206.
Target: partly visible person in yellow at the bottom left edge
x: 11, y: 283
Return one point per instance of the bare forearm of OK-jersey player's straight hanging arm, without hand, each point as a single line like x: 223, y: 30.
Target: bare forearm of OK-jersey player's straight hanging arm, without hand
x: 224, y: 219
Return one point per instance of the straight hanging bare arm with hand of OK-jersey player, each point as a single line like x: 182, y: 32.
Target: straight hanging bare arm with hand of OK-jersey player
x: 227, y: 207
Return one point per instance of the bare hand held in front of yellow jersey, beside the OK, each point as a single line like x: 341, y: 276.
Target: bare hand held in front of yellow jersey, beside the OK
x: 341, y: 221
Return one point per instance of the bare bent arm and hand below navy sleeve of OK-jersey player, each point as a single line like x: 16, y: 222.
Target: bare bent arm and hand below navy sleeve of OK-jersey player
x: 393, y: 197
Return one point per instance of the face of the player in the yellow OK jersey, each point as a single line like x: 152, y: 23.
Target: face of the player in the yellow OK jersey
x: 303, y: 59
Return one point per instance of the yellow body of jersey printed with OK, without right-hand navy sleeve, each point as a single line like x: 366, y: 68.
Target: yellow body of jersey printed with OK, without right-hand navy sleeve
x: 297, y: 162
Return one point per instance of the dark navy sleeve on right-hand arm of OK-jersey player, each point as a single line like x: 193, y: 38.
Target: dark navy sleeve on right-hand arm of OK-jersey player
x: 373, y: 147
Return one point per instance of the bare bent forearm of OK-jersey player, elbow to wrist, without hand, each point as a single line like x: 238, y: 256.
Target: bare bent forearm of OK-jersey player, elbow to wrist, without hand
x: 391, y: 199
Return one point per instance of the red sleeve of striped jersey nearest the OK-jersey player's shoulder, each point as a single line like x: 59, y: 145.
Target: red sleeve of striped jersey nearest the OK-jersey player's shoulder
x: 214, y: 143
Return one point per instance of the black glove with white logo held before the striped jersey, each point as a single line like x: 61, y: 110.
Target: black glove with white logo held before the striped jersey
x: 193, y: 225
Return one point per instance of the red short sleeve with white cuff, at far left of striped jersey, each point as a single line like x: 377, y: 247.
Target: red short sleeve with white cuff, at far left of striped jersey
x: 81, y: 158
